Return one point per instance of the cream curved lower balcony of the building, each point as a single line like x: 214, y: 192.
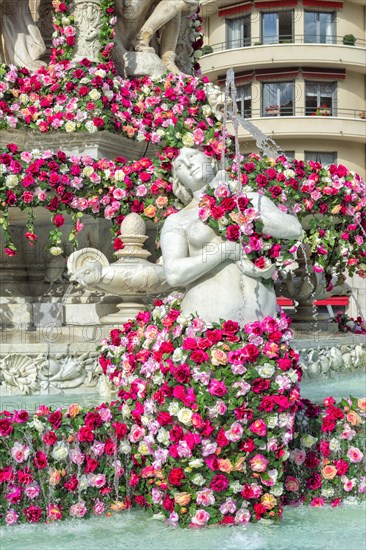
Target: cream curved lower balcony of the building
x: 348, y: 125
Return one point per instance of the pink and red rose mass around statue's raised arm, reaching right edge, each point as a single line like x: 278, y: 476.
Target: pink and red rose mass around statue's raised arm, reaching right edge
x: 329, y: 202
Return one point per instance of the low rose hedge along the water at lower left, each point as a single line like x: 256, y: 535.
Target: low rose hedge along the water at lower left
x: 61, y: 464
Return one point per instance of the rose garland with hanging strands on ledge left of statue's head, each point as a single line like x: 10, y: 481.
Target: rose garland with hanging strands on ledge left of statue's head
x: 78, y: 185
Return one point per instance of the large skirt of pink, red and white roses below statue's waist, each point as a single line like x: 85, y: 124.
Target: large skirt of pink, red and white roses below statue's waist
x: 210, y: 413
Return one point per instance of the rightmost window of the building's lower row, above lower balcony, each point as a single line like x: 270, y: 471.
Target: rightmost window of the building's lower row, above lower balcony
x: 320, y: 98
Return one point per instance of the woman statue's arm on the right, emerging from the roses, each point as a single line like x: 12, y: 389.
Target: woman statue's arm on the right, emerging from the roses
x: 275, y: 222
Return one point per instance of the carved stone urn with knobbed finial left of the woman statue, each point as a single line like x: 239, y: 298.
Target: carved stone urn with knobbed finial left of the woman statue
x: 132, y: 277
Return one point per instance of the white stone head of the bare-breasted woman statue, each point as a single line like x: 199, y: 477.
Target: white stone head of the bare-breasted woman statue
x: 192, y: 171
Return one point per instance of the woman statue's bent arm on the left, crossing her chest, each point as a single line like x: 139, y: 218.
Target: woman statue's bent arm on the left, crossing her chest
x: 181, y: 268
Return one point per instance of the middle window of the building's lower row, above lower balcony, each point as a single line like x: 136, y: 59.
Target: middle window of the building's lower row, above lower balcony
x: 278, y: 99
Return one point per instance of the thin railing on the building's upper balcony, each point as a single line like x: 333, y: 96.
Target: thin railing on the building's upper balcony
x: 282, y: 39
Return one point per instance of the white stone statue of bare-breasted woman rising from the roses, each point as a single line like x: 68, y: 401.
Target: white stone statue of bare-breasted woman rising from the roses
x: 219, y: 283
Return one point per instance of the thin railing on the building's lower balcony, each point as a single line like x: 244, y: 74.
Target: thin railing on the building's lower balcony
x: 301, y: 111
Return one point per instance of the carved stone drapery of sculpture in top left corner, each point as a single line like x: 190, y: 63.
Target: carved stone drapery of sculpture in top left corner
x: 21, y: 40
